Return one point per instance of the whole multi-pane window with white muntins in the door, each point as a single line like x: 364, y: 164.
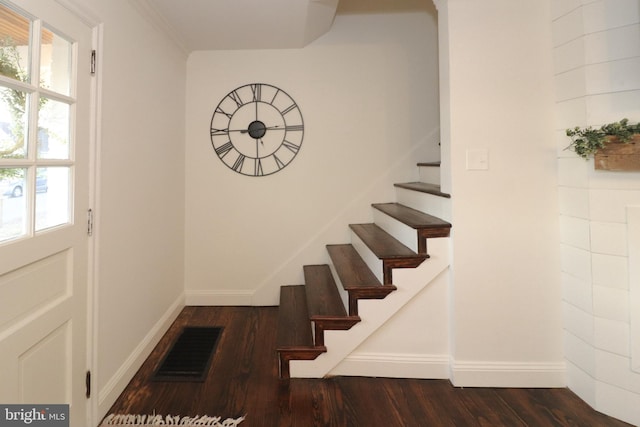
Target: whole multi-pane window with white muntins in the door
x: 36, y: 114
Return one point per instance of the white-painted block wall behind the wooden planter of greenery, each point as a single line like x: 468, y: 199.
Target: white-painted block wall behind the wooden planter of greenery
x: 597, y: 69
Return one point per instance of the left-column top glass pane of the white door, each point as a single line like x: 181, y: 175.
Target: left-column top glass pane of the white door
x: 14, y: 44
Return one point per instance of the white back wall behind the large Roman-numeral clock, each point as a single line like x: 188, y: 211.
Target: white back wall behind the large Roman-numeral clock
x: 368, y: 93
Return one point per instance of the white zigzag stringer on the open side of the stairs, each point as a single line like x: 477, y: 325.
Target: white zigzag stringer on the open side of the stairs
x: 375, y: 313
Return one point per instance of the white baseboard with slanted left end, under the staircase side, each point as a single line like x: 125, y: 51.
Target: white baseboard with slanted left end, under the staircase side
x: 394, y: 365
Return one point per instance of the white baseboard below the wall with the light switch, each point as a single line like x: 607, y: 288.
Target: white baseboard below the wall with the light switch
x: 508, y: 374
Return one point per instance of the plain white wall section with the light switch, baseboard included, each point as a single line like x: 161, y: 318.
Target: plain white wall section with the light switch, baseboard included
x: 506, y: 301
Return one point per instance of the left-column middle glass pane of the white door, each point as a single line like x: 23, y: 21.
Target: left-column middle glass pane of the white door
x: 13, y: 123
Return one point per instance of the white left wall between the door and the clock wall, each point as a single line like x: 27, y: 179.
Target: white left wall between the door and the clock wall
x: 140, y: 205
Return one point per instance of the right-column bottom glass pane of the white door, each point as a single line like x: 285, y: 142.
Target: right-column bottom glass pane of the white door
x: 52, y: 186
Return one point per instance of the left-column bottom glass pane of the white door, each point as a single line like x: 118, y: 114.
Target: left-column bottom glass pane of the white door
x: 13, y: 203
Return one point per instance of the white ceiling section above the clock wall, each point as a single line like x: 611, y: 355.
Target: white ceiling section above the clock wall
x: 240, y: 24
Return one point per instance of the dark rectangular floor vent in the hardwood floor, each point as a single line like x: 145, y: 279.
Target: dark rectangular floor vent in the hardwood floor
x: 190, y: 356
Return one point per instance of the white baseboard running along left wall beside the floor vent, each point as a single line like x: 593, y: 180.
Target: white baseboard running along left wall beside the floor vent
x: 114, y: 387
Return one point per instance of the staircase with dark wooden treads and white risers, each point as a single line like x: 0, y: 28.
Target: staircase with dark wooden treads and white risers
x: 399, y: 238
